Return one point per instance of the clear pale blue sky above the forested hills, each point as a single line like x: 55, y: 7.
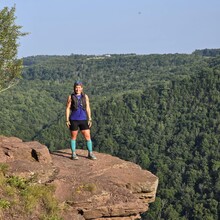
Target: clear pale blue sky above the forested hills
x: 97, y: 27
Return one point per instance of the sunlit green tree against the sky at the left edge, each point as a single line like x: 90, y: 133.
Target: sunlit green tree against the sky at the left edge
x: 10, y: 66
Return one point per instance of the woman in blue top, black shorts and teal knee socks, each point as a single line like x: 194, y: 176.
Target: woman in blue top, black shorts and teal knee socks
x: 78, y: 116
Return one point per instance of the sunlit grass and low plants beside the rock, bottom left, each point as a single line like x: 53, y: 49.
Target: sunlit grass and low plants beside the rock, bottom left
x: 30, y: 197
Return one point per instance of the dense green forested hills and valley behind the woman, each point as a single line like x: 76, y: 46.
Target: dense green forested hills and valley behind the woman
x: 159, y: 111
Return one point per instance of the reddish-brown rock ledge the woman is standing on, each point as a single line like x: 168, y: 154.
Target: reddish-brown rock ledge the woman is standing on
x: 106, y: 189
